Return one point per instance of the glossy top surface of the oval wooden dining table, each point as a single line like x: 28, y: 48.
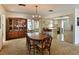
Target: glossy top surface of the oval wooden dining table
x: 37, y: 36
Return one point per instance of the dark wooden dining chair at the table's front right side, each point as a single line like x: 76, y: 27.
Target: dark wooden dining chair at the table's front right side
x: 45, y: 45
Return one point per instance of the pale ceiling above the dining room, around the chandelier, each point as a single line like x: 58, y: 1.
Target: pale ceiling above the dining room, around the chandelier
x: 43, y: 9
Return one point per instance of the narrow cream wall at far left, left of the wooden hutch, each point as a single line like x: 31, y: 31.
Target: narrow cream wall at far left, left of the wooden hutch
x: 2, y: 31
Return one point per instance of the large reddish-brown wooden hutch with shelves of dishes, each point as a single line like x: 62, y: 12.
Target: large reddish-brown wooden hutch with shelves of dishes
x: 15, y: 28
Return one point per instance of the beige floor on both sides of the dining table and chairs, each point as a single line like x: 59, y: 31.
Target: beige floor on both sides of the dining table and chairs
x: 18, y: 47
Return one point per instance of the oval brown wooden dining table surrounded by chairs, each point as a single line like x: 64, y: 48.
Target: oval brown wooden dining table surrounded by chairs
x: 36, y: 36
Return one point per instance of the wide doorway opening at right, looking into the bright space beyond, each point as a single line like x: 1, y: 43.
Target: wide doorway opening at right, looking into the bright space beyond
x: 64, y: 27
